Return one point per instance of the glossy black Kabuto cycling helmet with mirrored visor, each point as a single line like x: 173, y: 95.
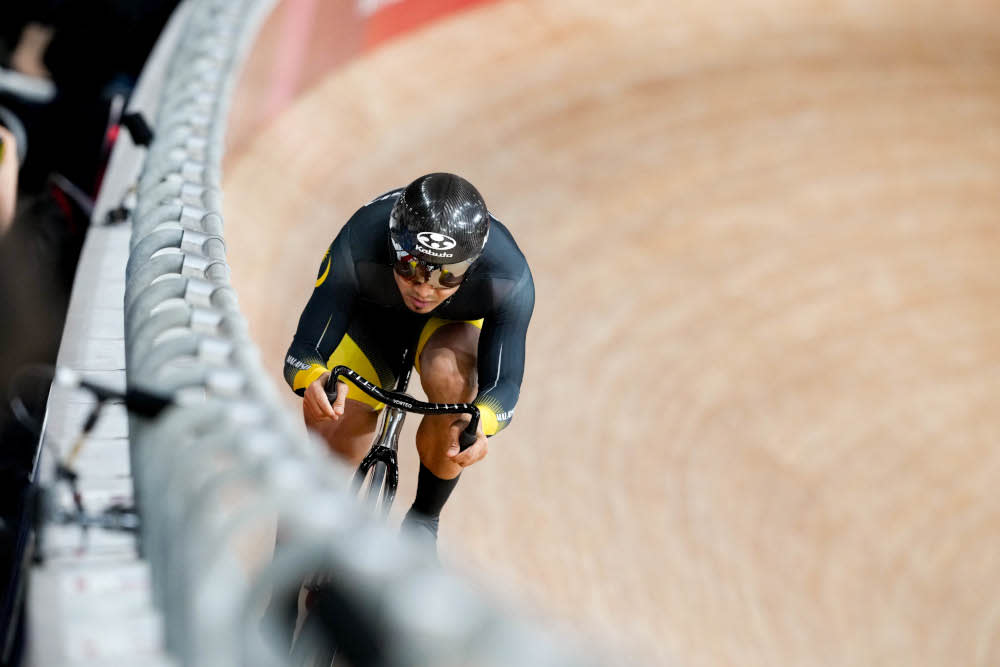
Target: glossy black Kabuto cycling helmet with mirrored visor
x: 438, y: 228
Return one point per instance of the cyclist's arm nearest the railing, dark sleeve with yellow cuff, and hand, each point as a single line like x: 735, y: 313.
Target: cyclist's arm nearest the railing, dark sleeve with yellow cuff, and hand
x: 321, y: 326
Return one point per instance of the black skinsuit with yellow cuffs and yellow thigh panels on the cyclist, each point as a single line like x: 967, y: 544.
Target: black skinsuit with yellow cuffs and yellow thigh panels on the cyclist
x: 356, y: 315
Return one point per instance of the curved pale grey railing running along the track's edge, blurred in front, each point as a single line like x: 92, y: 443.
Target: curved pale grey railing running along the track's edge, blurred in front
x: 214, y: 474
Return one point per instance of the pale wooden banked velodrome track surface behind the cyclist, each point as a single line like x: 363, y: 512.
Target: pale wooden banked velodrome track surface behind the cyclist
x: 759, y: 422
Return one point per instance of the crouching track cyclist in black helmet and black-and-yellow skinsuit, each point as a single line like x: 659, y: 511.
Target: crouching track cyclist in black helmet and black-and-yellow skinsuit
x: 425, y: 263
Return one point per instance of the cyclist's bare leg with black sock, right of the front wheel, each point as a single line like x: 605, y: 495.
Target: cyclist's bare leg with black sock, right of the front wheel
x: 447, y: 365
